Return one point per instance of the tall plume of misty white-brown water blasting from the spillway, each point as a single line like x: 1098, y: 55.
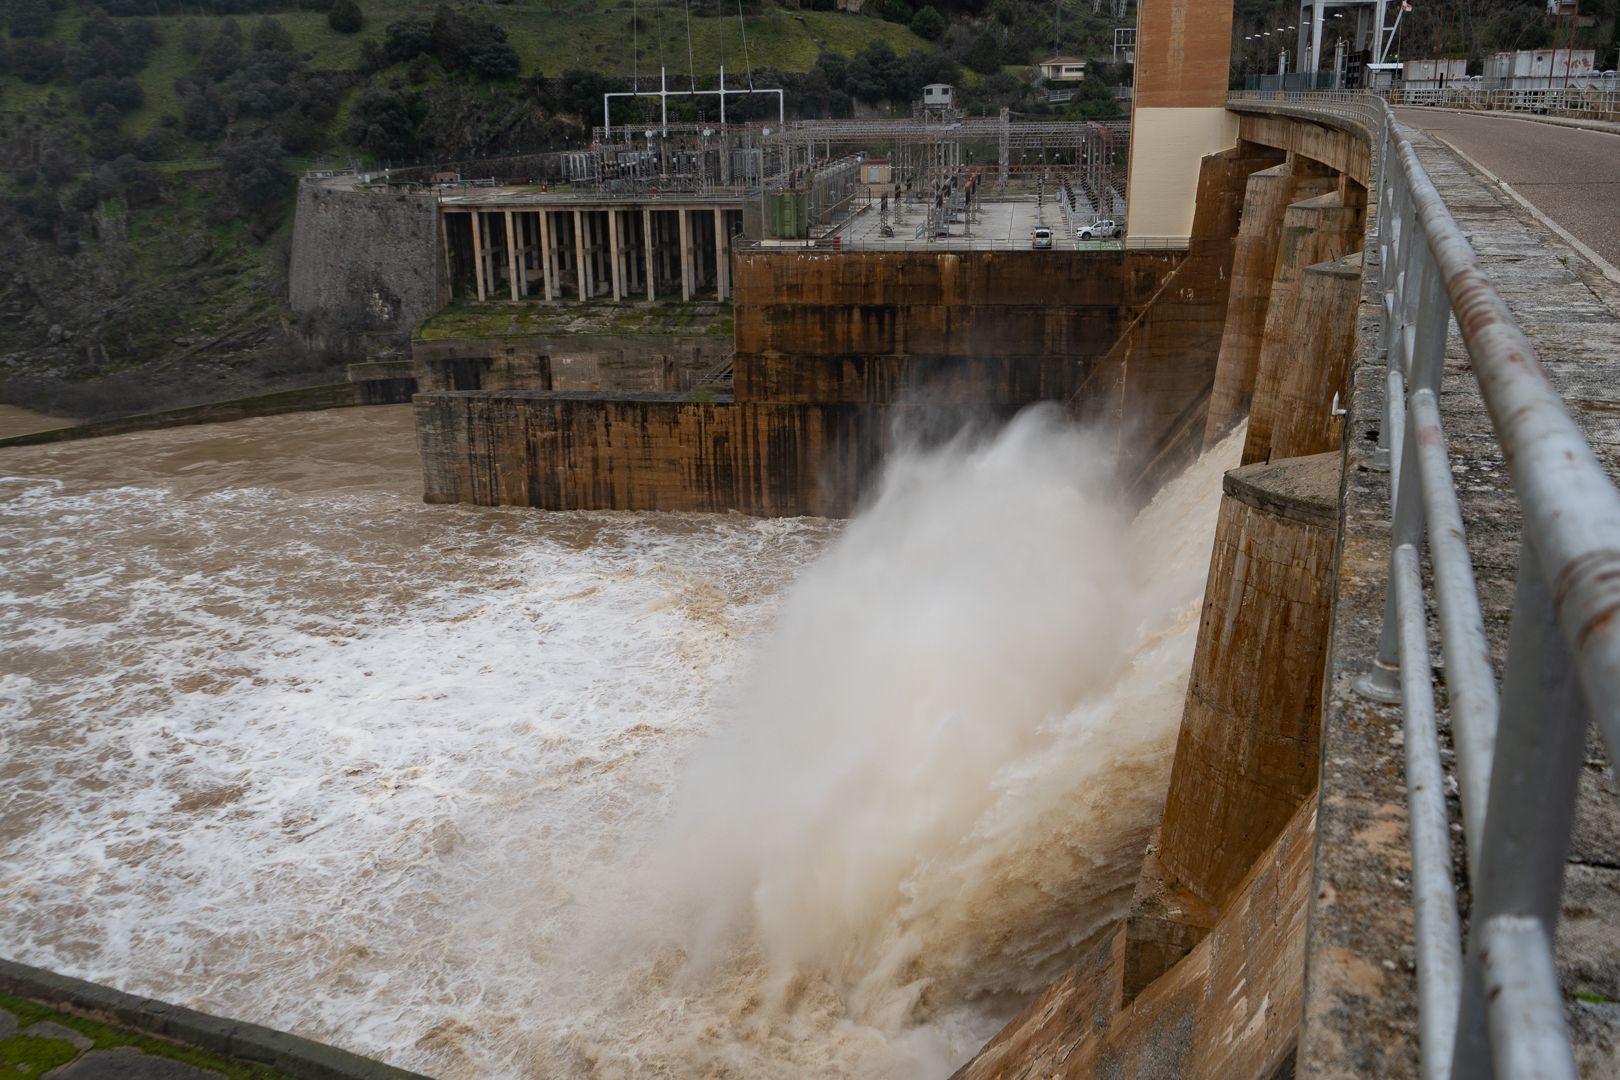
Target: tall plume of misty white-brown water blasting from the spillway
x: 940, y: 775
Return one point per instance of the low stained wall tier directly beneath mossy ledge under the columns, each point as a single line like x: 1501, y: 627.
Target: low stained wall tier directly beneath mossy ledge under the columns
x: 569, y: 362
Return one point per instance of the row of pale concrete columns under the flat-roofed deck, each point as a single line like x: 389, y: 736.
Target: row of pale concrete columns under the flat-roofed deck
x: 594, y: 252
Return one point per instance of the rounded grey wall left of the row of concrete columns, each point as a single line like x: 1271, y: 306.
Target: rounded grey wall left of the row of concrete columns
x: 364, y: 261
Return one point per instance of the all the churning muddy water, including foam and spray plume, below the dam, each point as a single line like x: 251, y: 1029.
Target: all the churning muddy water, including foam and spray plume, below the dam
x: 488, y: 794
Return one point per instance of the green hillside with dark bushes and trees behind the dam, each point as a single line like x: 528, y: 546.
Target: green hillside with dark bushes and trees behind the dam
x: 150, y: 148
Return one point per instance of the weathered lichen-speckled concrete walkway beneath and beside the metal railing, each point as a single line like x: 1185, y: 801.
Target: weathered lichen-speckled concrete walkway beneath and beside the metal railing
x: 1362, y: 976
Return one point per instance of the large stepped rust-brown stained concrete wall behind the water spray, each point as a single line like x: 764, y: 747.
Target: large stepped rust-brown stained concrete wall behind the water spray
x: 833, y: 352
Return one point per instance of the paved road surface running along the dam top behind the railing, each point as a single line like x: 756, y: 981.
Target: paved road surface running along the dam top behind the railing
x: 1569, y: 174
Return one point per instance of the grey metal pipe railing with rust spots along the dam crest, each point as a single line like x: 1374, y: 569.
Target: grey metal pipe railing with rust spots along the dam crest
x: 1493, y: 1005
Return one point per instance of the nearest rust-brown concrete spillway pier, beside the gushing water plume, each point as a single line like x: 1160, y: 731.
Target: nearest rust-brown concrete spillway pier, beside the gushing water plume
x: 1248, y: 752
